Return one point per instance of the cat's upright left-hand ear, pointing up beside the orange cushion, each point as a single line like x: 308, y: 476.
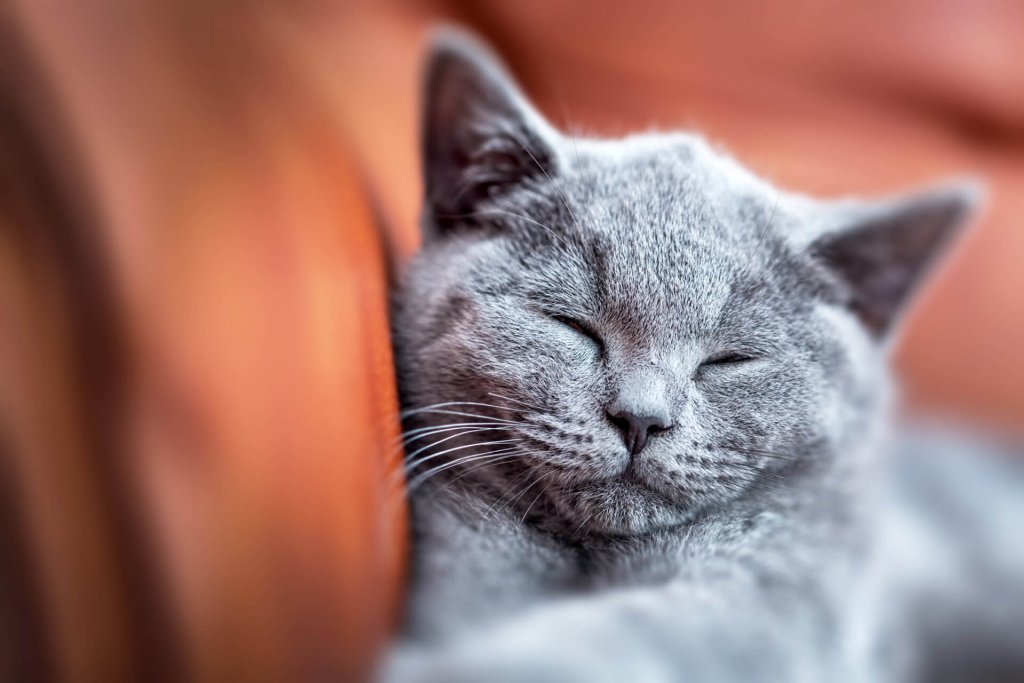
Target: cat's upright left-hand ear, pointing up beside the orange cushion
x: 481, y: 137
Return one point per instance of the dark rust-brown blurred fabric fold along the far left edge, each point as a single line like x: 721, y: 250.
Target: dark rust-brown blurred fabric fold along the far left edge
x: 62, y: 573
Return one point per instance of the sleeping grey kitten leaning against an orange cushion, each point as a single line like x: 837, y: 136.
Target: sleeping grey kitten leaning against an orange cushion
x: 647, y: 396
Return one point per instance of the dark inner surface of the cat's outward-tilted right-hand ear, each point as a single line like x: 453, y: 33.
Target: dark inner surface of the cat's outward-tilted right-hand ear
x: 884, y: 259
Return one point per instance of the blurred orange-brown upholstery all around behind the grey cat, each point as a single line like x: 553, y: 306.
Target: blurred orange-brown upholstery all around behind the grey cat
x: 201, y: 204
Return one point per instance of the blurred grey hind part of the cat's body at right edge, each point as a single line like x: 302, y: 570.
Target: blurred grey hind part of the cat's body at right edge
x: 953, y: 558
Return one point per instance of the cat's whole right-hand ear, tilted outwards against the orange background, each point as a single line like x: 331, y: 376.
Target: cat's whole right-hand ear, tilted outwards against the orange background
x: 882, y: 252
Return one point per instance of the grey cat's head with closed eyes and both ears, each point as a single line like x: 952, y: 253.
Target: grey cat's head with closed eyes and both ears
x: 620, y: 334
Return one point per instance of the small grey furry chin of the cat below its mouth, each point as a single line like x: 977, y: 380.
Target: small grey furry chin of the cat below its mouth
x: 621, y: 508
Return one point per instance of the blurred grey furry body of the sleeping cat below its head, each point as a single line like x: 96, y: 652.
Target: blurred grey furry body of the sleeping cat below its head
x: 937, y: 600
